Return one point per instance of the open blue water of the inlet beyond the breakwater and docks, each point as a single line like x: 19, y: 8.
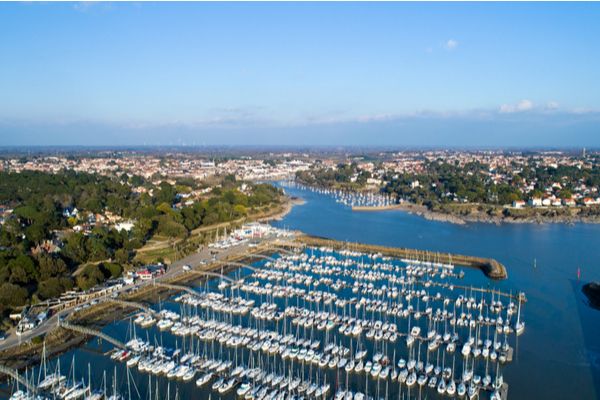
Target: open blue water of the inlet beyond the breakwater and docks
x: 558, y: 356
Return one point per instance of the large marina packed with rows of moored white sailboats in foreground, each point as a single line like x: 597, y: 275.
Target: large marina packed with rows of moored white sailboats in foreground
x: 315, y: 323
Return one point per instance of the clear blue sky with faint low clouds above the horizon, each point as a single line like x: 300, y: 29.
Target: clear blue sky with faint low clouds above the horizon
x: 401, y: 74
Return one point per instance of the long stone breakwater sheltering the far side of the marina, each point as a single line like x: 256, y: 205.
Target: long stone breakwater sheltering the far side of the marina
x: 490, y: 267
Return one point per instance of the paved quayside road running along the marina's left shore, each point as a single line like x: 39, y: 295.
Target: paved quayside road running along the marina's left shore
x: 204, y: 256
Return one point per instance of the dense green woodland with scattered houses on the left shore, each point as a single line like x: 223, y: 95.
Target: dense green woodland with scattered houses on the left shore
x: 39, y: 200
